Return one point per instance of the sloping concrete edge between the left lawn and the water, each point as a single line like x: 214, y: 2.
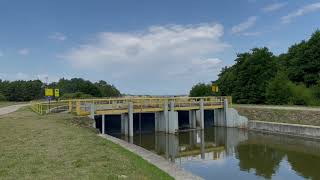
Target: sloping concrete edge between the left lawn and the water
x: 160, y: 162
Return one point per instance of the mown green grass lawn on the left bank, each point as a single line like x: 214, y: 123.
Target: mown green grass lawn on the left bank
x: 61, y: 146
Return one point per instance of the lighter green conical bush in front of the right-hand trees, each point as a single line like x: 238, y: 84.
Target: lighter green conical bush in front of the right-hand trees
x: 278, y: 89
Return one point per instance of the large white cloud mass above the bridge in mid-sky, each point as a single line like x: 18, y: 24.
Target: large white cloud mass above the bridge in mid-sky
x: 156, y: 54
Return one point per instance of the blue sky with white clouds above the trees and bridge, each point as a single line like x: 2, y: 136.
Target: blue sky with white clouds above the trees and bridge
x: 144, y: 46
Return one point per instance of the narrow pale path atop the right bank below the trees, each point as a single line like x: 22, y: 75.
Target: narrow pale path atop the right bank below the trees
x: 303, y: 108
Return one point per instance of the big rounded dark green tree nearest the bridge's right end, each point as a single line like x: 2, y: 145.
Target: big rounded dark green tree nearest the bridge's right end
x: 246, y: 81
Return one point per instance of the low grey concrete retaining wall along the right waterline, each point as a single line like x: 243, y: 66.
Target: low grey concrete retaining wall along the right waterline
x: 283, y: 128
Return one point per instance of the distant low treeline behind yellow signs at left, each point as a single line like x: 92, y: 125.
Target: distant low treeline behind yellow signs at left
x: 73, y: 88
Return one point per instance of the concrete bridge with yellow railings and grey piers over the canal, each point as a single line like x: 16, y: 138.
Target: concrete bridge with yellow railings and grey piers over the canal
x: 165, y: 111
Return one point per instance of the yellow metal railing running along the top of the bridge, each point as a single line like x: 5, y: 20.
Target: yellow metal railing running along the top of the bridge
x: 83, y: 106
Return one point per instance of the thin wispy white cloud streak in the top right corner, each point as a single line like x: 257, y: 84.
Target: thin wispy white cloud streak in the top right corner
x: 300, y: 12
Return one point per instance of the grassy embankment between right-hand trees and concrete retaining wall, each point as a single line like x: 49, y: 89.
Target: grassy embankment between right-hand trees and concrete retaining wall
x: 281, y: 114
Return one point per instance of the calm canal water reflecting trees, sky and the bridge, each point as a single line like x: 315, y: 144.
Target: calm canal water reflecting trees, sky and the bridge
x: 227, y: 153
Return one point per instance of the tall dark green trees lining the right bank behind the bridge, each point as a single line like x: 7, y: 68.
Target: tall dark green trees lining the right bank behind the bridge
x: 260, y: 77
